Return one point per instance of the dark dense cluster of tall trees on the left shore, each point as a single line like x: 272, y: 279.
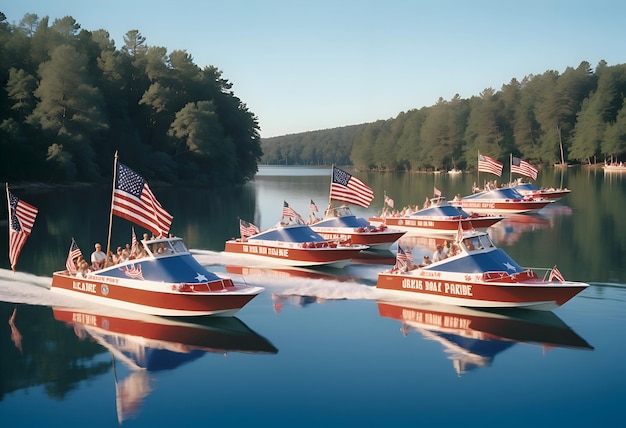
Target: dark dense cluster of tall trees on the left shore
x: 70, y: 99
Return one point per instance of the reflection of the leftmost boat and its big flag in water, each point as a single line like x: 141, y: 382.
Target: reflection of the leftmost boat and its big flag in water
x: 146, y: 343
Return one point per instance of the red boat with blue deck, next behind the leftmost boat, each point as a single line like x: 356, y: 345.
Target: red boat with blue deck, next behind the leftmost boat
x: 291, y: 242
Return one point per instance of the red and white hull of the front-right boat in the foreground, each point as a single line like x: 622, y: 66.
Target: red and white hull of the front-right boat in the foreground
x: 467, y: 289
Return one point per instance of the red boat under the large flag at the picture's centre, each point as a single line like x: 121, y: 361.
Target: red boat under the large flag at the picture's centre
x: 340, y: 224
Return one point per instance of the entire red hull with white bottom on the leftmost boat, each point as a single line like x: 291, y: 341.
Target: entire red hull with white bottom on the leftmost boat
x: 221, y: 298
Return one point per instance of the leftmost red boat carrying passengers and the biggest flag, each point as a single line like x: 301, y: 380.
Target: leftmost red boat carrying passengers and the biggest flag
x: 161, y: 278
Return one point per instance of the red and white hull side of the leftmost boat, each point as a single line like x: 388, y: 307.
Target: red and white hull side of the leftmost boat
x: 156, y: 302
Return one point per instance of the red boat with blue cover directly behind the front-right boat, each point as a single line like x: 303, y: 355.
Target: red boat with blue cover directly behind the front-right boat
x: 439, y: 217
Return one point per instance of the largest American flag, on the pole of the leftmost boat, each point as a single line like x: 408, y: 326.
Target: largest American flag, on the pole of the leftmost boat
x: 134, y: 201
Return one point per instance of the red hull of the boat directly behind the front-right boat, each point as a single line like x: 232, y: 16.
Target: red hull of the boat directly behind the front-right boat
x: 447, y: 226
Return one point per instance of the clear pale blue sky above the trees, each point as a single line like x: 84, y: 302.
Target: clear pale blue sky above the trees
x: 309, y: 65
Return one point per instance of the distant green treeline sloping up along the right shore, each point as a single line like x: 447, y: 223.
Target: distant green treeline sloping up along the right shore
x: 578, y: 116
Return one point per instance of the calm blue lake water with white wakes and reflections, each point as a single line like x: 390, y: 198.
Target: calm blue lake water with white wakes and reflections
x: 319, y: 348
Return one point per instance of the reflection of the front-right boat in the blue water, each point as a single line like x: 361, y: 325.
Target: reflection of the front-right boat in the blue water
x: 472, y: 338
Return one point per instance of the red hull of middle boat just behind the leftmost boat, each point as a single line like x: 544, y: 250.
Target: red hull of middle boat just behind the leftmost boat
x: 296, y: 255
